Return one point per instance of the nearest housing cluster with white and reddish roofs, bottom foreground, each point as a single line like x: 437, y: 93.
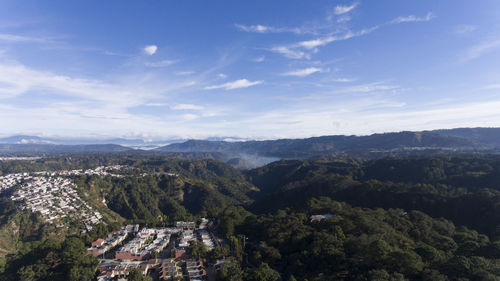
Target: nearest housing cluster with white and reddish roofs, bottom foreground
x: 137, y: 253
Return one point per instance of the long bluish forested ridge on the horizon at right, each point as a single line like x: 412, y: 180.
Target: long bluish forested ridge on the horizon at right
x: 403, y: 142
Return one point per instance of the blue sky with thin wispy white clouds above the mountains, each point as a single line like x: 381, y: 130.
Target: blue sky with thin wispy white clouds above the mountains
x: 259, y: 69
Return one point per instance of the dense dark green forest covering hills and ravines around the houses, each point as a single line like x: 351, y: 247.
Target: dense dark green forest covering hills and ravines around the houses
x: 412, y: 218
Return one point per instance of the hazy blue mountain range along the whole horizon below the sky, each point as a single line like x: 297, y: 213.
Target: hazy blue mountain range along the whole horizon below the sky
x: 252, y: 153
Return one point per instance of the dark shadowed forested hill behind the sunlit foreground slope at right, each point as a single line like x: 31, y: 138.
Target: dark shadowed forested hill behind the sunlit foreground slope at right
x: 463, y: 189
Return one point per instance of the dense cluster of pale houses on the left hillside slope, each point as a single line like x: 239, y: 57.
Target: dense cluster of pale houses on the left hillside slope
x: 55, y: 199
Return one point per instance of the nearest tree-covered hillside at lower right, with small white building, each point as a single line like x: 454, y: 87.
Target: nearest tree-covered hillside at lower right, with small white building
x: 364, y: 244
